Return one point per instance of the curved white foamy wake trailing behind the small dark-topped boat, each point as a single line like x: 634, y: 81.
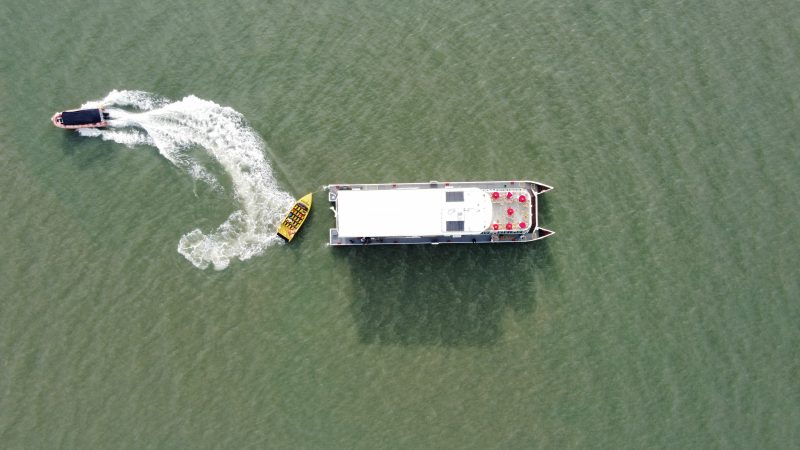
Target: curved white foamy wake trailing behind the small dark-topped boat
x: 176, y: 129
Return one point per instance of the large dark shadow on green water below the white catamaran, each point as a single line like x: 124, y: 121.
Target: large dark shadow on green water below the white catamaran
x: 449, y: 295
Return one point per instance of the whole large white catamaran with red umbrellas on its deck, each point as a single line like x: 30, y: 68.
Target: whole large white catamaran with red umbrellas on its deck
x: 416, y: 213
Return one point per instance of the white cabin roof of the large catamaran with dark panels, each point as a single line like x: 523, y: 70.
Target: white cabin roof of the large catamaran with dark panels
x: 412, y: 212
